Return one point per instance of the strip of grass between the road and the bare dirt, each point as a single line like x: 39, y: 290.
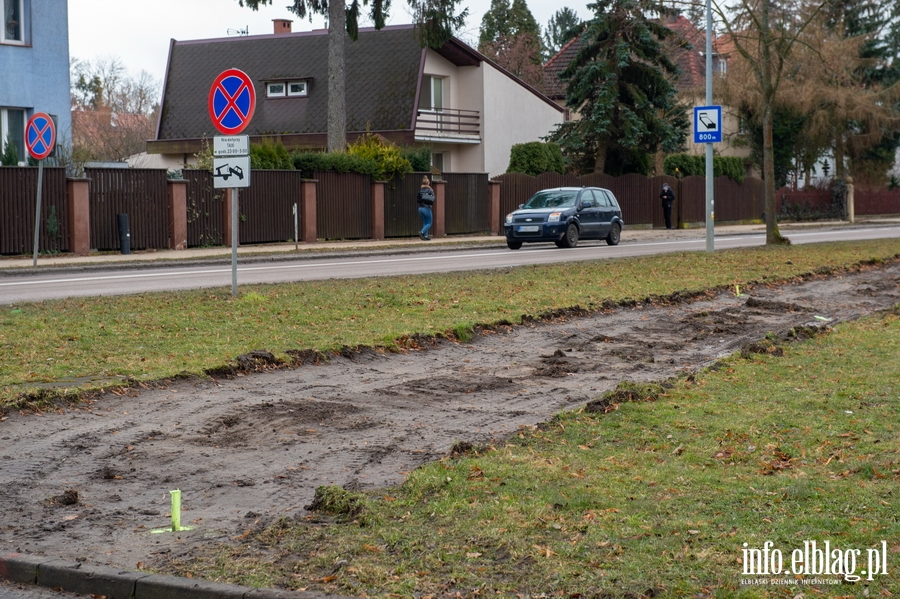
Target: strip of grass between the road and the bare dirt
x: 67, y: 347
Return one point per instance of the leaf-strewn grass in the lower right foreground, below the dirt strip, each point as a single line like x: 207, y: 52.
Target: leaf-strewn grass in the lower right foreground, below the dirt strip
x: 658, y: 493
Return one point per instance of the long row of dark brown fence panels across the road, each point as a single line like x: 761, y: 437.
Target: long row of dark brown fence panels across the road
x: 344, y: 205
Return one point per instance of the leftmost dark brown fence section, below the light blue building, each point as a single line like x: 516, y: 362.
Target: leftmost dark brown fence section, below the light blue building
x: 18, y: 194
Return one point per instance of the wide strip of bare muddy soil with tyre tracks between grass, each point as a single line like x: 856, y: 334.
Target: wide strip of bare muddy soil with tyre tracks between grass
x: 90, y: 482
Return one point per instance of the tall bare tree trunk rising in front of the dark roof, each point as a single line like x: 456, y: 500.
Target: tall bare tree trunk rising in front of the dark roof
x: 337, y: 96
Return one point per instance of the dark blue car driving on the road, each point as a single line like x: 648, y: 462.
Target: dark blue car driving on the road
x: 564, y: 215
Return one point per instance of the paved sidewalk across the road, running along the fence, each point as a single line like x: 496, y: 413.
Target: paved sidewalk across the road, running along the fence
x: 285, y: 251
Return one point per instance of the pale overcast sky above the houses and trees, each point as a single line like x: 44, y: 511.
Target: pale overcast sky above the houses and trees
x: 138, y: 32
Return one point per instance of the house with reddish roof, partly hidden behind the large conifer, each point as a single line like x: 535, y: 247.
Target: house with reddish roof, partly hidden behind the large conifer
x: 687, y: 50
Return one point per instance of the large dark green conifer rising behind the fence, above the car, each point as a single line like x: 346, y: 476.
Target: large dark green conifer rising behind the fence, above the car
x: 620, y: 83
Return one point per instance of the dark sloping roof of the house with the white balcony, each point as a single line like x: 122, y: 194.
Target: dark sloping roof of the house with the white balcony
x: 382, y: 75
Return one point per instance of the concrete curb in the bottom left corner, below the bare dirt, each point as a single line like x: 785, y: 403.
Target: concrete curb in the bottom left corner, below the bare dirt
x: 115, y: 583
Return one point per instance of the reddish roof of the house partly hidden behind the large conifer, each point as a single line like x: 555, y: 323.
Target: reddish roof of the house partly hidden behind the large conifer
x: 690, y: 62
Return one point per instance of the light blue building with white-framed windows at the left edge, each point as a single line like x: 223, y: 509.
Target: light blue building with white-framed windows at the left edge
x: 34, y: 68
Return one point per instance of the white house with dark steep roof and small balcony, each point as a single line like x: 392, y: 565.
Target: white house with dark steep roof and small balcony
x: 467, y: 109
